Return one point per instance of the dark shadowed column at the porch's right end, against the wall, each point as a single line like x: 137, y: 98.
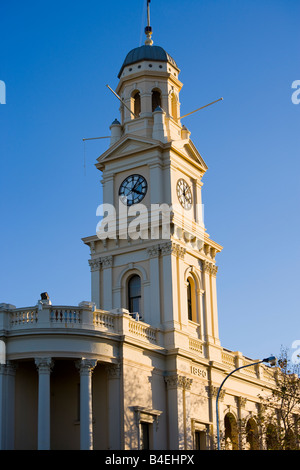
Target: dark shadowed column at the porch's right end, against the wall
x: 114, y: 406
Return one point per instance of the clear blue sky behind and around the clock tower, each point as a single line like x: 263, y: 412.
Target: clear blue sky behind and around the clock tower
x: 56, y: 58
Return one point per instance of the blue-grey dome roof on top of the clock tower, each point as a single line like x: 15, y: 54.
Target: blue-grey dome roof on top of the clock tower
x: 147, y: 52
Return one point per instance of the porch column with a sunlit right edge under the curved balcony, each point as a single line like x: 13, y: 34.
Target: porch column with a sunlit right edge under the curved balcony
x: 86, y: 367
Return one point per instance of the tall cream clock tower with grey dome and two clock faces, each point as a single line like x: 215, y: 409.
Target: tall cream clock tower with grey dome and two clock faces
x: 152, y: 255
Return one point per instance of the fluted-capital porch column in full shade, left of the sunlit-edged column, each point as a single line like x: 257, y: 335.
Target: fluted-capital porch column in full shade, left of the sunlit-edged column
x: 44, y: 366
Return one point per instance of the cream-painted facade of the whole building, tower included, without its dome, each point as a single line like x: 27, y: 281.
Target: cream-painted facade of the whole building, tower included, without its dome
x: 97, y: 376
